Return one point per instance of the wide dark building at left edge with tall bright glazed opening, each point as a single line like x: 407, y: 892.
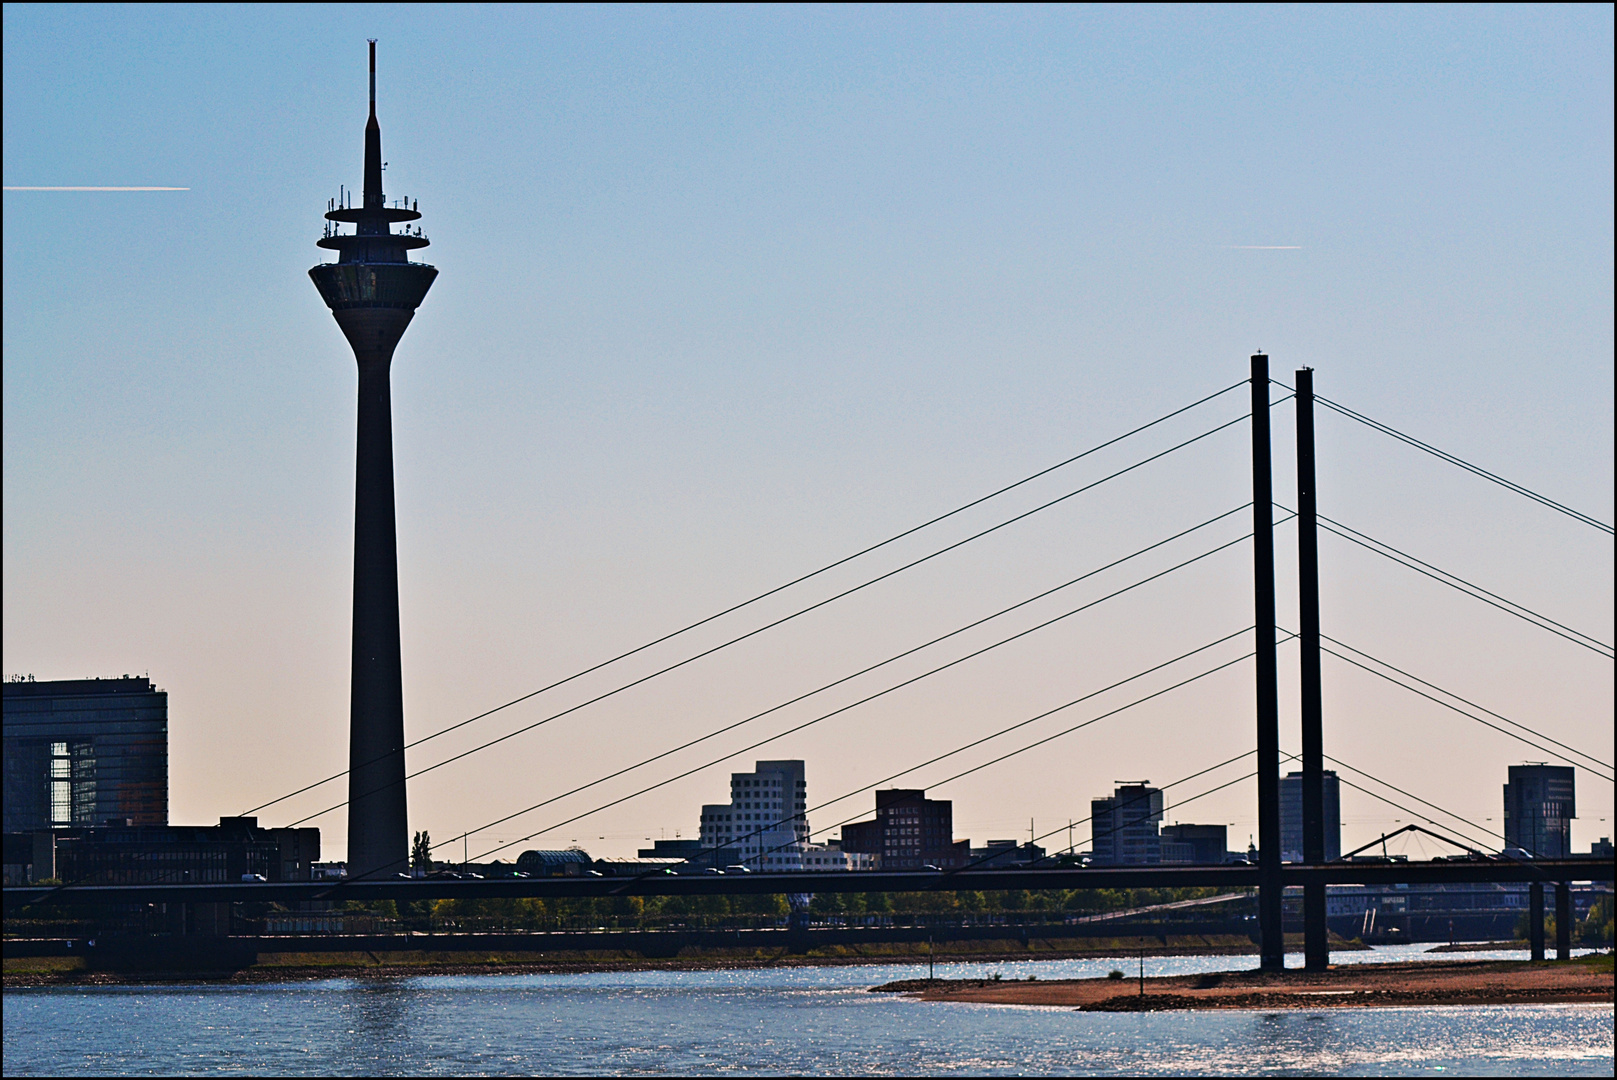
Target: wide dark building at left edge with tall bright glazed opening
x: 85, y: 753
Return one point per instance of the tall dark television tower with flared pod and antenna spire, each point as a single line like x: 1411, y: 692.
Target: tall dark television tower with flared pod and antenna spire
x: 373, y: 292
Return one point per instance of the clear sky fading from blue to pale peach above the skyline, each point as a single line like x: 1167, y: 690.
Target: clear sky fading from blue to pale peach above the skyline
x: 730, y: 293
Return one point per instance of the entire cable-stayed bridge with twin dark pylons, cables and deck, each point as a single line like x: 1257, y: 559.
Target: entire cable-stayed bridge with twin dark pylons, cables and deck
x: 1256, y: 638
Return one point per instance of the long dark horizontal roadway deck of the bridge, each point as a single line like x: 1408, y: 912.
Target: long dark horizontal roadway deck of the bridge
x: 659, y: 884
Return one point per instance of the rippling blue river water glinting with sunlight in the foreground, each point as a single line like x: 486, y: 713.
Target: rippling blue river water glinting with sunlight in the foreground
x: 782, y: 1021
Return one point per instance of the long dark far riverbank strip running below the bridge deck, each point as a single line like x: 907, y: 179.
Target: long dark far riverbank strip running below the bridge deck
x: 399, y: 964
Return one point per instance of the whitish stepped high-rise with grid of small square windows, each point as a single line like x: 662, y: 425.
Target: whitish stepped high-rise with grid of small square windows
x: 766, y: 817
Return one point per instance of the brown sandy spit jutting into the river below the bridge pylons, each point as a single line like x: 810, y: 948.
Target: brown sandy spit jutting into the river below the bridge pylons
x: 1587, y: 981
